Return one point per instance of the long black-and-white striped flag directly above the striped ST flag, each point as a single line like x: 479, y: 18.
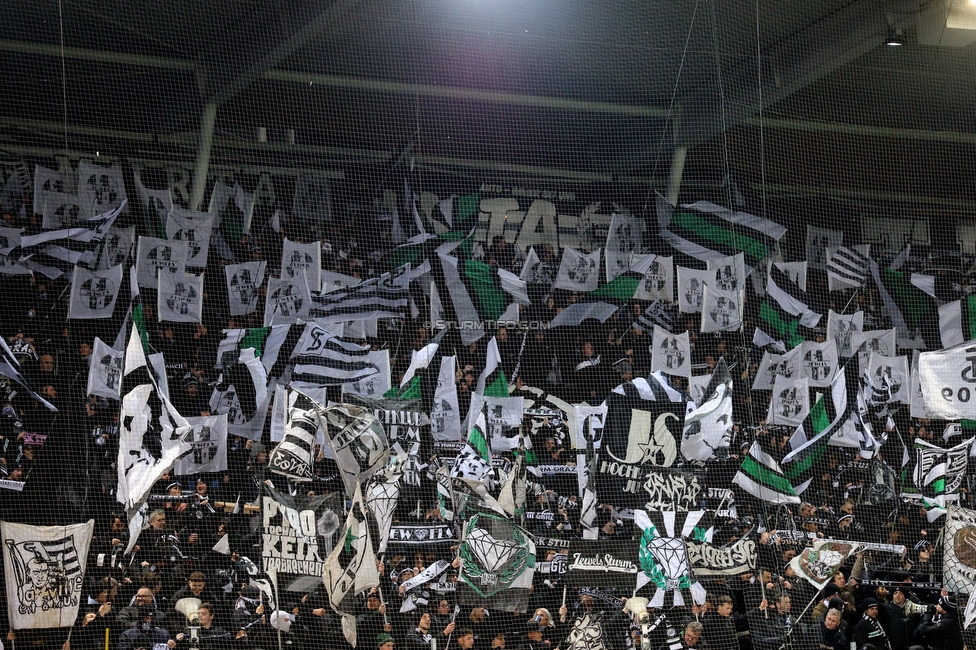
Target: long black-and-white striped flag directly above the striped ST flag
x: 384, y: 297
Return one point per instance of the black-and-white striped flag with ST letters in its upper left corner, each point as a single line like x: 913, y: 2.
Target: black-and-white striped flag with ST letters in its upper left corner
x: 320, y: 357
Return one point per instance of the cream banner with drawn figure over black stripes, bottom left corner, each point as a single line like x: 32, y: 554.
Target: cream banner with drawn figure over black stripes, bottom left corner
x: 45, y: 573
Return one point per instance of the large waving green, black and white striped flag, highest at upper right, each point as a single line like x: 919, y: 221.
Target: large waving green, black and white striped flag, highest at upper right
x: 706, y: 231
